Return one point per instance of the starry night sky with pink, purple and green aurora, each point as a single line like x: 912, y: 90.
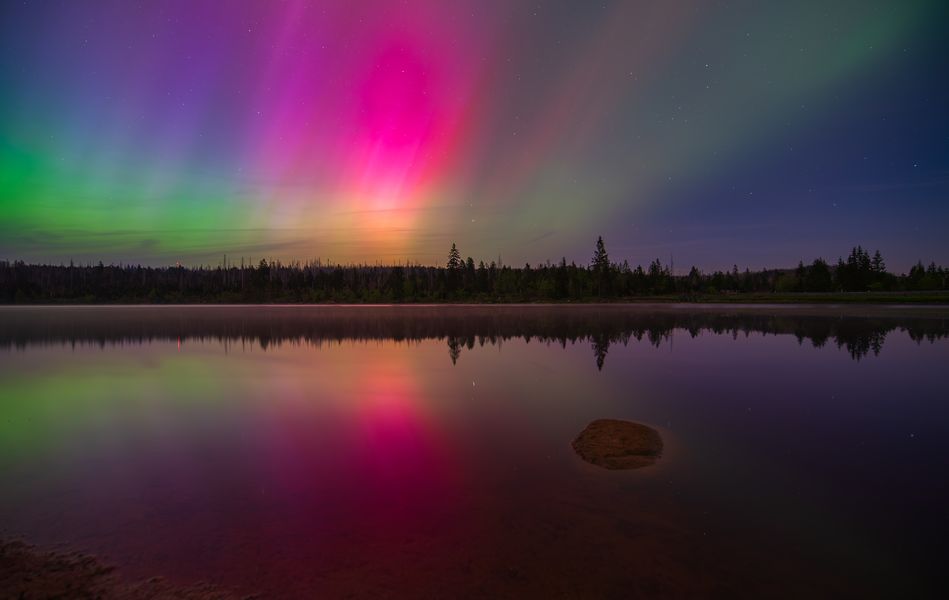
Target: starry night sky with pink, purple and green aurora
x: 708, y: 133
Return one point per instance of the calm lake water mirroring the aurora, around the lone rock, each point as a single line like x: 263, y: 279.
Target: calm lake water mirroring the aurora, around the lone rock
x: 425, y: 452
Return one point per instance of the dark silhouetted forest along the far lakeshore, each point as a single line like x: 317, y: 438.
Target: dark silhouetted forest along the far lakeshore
x: 460, y: 280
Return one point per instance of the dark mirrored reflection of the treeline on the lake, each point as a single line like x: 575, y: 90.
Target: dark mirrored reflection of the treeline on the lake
x: 860, y: 330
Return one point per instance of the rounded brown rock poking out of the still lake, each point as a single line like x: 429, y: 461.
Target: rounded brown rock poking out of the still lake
x: 615, y: 444
